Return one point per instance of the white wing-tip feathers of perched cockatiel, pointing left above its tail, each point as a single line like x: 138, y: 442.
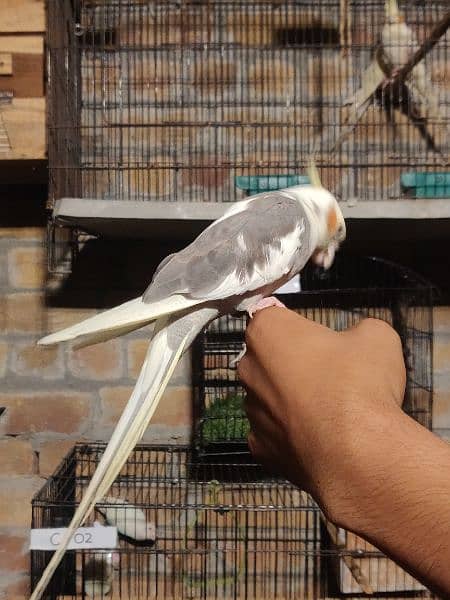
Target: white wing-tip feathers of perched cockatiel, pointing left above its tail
x: 118, y: 320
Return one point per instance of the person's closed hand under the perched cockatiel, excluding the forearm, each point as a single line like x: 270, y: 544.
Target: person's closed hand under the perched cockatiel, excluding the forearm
x: 321, y: 402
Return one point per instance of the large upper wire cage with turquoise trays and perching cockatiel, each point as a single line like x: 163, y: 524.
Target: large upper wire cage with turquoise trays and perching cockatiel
x: 202, y: 101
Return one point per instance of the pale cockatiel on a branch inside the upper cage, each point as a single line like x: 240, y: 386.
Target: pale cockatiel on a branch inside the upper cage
x: 416, y: 97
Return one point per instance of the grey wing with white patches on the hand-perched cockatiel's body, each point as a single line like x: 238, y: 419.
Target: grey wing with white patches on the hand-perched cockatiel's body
x: 236, y: 253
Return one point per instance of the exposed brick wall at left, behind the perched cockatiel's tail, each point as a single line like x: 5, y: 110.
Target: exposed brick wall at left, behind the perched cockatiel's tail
x: 55, y: 397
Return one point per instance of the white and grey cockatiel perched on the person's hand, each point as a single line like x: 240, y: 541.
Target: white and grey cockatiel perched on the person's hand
x: 233, y: 265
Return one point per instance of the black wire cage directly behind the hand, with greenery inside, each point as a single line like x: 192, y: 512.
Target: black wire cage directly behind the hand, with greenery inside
x: 354, y: 288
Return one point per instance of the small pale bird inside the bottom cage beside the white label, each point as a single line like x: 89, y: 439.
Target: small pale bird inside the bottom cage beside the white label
x: 130, y: 520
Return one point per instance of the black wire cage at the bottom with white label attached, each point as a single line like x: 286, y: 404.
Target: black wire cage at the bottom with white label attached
x: 216, y: 533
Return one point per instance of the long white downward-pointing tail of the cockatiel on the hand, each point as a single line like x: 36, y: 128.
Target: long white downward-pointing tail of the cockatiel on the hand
x: 158, y: 367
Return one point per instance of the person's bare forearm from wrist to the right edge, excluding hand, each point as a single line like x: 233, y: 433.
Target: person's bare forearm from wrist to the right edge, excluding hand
x: 401, y: 500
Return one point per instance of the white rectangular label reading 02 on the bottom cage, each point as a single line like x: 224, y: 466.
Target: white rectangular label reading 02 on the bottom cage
x: 85, y: 537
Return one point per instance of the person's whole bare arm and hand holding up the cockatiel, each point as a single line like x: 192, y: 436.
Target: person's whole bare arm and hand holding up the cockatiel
x: 324, y: 409
